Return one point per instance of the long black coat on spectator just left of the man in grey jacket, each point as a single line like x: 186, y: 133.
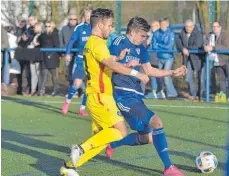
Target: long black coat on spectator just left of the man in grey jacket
x: 50, y: 59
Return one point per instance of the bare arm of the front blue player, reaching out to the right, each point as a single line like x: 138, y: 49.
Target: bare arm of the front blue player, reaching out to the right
x: 150, y: 71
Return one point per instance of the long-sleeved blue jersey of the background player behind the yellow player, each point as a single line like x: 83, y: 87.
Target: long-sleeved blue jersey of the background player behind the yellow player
x: 80, y: 35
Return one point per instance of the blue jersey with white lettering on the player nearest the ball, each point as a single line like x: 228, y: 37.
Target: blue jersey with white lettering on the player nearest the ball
x: 123, y: 84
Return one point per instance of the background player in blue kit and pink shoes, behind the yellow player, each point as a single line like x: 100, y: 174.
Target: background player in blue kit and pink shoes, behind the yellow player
x: 80, y: 35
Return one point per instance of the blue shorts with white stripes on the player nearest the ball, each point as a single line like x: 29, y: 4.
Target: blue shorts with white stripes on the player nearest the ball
x: 135, y: 113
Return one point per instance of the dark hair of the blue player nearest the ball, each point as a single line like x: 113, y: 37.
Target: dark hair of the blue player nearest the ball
x: 138, y: 23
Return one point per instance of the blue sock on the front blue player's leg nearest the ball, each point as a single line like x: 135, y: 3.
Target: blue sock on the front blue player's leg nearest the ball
x: 160, y: 143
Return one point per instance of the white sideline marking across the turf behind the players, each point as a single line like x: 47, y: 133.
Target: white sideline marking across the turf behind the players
x: 150, y: 105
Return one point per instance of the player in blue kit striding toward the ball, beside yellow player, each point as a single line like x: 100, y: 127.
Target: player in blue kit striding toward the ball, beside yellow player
x: 128, y: 94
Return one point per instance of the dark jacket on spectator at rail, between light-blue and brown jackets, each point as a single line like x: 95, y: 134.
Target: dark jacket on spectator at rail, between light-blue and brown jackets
x: 195, y: 41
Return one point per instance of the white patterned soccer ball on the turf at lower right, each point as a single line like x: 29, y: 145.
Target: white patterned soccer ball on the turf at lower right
x: 206, y: 162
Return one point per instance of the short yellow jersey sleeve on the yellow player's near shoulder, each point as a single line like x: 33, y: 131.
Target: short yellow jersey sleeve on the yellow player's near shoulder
x: 101, y: 52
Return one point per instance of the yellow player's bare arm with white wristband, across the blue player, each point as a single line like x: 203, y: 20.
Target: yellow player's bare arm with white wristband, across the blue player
x: 120, y: 68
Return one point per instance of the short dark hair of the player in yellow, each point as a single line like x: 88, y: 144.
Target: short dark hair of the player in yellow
x: 100, y: 14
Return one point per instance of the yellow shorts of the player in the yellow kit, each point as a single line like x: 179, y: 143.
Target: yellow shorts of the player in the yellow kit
x: 103, y: 111
